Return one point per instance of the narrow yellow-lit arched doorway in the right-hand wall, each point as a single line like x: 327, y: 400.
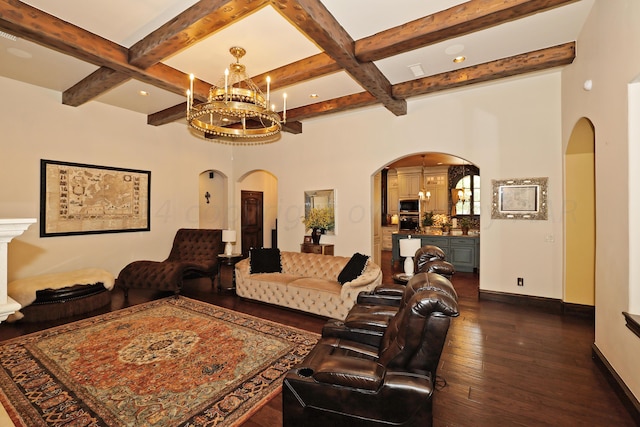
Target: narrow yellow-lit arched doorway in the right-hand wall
x: 580, y: 215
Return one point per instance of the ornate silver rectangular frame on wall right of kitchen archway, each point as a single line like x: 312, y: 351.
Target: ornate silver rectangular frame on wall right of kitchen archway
x: 524, y: 198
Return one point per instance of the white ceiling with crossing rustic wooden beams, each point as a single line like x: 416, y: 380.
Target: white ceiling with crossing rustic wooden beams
x: 349, y: 53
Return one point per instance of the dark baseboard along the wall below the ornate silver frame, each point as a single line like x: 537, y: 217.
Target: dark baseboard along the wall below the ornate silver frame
x: 551, y: 305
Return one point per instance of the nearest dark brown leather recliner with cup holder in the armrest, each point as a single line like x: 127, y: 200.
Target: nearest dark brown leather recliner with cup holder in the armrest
x: 347, y: 383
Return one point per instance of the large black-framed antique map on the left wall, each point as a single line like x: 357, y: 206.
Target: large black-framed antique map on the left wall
x: 87, y: 199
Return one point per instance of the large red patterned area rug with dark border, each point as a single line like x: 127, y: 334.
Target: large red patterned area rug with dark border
x: 171, y: 362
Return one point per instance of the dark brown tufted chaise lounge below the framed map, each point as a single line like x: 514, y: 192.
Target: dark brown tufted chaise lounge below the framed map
x: 194, y: 254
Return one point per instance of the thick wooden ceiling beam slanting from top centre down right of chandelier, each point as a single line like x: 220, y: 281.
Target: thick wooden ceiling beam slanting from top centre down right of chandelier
x: 314, y: 20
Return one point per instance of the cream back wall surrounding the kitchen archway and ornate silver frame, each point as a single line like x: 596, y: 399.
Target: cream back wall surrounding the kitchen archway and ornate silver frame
x: 509, y: 129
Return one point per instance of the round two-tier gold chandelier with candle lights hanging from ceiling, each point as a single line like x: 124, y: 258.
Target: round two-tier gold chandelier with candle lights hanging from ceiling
x: 236, y: 111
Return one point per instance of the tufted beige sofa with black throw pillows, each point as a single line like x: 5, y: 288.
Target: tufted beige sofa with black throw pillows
x: 308, y: 282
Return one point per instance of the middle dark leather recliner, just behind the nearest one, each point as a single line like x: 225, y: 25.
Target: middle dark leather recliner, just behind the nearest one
x: 370, y: 317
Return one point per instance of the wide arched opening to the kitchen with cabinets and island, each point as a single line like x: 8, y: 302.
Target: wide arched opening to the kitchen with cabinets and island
x: 439, y: 186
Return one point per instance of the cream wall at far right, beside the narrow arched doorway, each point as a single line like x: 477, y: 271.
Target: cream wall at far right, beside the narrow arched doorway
x: 607, y: 55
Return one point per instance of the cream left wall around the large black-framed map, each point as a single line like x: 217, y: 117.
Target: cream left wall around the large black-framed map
x: 35, y: 125
